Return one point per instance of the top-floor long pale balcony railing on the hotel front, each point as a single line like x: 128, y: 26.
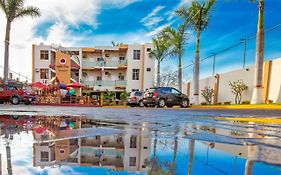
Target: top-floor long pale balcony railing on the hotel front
x: 113, y: 63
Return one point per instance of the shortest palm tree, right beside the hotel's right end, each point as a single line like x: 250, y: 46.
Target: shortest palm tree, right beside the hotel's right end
x: 159, y: 52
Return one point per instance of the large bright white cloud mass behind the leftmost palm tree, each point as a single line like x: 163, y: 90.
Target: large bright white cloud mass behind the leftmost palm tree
x: 63, y: 13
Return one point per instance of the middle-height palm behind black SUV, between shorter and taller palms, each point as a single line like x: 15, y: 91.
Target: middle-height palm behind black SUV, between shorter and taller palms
x: 177, y: 40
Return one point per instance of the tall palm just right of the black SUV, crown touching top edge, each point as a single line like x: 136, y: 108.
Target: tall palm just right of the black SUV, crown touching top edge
x: 199, y: 17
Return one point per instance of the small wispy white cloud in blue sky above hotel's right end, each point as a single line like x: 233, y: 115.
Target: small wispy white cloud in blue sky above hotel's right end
x: 151, y: 20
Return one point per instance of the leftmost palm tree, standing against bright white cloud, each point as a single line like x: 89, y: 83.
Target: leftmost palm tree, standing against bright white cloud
x: 14, y: 9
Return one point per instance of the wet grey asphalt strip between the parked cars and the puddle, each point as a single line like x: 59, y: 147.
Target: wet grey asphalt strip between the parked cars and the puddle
x: 52, y: 110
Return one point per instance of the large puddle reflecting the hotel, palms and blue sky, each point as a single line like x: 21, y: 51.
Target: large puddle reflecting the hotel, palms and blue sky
x: 82, y: 142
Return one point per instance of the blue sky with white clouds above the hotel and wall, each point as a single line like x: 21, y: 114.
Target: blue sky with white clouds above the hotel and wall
x: 96, y: 22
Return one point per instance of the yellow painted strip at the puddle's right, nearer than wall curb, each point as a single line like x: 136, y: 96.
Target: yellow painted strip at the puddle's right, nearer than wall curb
x: 256, y: 120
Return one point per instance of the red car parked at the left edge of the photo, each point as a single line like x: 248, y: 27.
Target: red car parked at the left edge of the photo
x: 15, y: 95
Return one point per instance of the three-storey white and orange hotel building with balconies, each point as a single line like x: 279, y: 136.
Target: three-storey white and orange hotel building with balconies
x: 113, y: 68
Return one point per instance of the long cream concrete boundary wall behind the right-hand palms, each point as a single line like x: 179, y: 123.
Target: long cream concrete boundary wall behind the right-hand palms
x: 247, y: 76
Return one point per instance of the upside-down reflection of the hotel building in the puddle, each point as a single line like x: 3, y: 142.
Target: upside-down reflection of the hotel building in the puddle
x: 121, y: 151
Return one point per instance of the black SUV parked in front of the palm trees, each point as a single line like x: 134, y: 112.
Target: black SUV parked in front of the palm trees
x: 165, y: 96
